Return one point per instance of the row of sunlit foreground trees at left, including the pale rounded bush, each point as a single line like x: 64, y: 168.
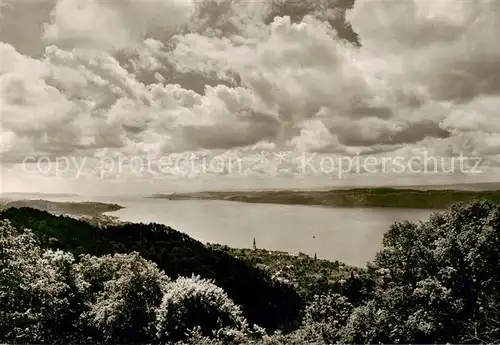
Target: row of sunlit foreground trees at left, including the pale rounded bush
x: 48, y: 297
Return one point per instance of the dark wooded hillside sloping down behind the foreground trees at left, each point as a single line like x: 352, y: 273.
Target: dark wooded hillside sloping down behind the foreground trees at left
x: 265, y: 301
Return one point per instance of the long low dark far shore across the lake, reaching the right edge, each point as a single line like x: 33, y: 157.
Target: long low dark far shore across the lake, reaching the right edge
x: 358, y: 197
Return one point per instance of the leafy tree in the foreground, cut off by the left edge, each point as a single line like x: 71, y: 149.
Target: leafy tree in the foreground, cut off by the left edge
x: 38, y: 301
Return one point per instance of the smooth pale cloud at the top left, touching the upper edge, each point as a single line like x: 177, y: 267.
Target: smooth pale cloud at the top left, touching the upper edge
x: 114, y: 25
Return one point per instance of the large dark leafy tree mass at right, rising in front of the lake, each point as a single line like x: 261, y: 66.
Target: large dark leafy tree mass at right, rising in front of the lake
x: 436, y: 281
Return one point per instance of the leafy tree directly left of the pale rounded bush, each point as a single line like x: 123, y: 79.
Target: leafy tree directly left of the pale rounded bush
x: 122, y: 293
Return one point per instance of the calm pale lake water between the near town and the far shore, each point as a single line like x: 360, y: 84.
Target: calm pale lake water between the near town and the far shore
x: 350, y: 235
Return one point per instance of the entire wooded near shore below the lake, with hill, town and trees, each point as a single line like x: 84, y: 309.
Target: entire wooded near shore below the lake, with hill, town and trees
x: 65, y: 280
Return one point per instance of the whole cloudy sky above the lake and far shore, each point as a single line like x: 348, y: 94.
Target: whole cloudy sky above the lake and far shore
x: 96, y: 95
